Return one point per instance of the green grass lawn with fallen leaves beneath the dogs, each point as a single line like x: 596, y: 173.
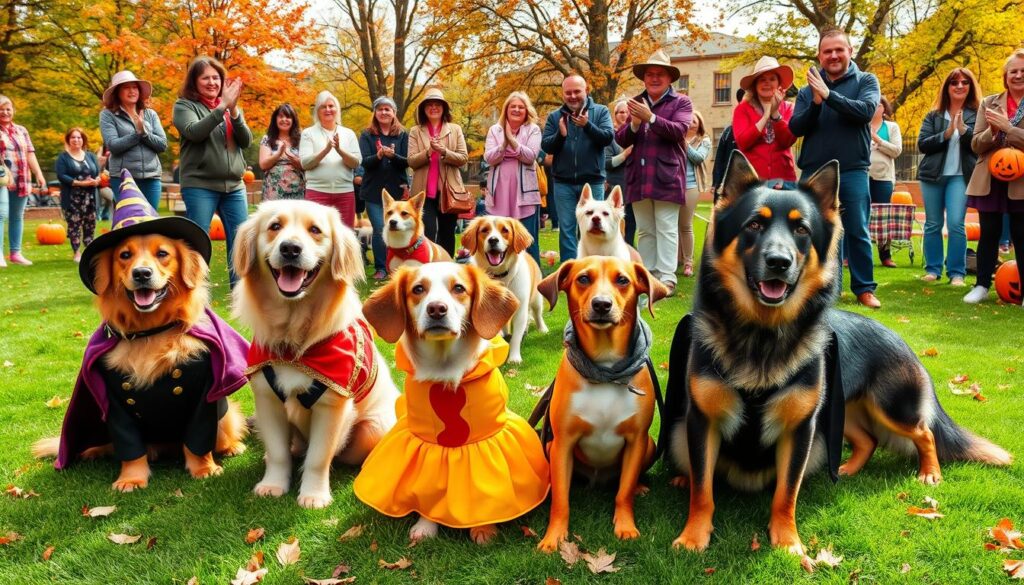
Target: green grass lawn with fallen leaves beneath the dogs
x: 200, y: 527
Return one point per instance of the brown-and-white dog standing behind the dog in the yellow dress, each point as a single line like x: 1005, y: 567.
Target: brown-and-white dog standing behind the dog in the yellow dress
x: 499, y: 246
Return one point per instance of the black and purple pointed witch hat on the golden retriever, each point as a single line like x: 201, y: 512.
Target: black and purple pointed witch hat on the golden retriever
x: 135, y: 217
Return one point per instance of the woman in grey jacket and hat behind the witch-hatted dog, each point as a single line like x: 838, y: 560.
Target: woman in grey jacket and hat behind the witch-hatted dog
x: 133, y: 135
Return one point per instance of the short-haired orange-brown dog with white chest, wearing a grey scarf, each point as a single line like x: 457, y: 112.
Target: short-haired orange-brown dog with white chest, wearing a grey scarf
x: 601, y: 428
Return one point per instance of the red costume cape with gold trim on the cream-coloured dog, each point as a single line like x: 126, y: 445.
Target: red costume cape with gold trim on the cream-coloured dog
x: 344, y: 363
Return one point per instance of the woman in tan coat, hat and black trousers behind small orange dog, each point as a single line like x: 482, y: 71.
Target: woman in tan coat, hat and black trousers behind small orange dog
x: 437, y: 151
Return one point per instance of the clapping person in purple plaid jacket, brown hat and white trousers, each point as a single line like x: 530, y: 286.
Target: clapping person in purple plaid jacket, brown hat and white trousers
x: 656, y: 173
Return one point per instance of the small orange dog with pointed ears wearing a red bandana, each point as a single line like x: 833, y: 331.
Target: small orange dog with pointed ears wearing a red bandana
x: 407, y: 246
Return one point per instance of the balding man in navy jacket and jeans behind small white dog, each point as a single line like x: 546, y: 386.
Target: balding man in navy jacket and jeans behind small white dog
x: 576, y: 136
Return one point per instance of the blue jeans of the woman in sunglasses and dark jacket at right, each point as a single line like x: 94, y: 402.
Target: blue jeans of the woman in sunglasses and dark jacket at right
x: 947, y: 196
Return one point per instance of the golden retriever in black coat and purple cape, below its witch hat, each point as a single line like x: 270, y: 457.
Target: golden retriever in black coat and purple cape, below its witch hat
x: 155, y: 362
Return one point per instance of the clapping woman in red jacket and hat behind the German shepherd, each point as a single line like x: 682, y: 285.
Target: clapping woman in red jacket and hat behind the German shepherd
x: 761, y: 123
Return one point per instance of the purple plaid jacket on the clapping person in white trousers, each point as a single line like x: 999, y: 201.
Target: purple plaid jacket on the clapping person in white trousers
x: 657, y: 170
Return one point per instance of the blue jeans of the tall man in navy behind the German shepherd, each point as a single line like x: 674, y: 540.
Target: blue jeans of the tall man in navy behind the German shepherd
x: 856, y: 210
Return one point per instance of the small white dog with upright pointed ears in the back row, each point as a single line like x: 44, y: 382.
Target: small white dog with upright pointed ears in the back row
x: 600, y: 224
